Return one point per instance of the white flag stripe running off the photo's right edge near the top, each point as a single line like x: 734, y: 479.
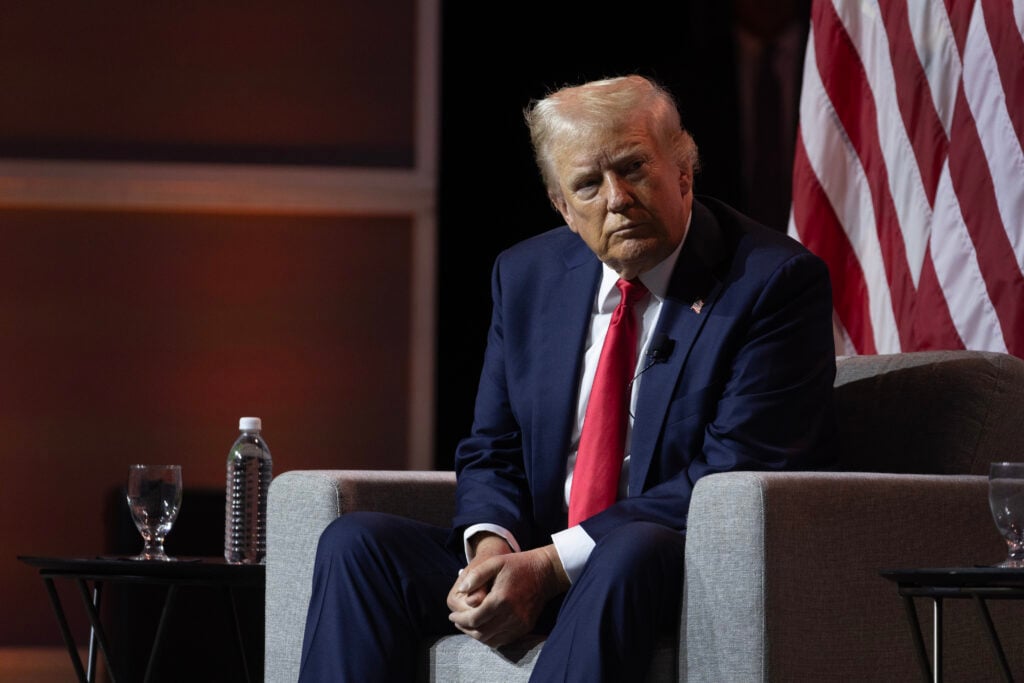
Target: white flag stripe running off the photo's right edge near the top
x: 1003, y: 152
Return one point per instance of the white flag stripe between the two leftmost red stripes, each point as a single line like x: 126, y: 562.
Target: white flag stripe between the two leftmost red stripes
x: 838, y: 168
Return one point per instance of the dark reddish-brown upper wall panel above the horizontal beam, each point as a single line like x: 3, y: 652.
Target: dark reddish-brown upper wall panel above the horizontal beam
x: 313, y: 82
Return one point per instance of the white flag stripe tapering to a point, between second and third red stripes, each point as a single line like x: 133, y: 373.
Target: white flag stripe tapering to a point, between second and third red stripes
x: 864, y: 25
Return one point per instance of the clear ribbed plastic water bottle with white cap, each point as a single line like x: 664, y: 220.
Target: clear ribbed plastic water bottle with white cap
x: 249, y: 472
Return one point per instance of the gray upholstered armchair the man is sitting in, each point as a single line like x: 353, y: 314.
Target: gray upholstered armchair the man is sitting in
x: 782, y: 579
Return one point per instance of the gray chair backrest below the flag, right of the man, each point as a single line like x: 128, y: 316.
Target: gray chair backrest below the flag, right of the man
x: 930, y: 412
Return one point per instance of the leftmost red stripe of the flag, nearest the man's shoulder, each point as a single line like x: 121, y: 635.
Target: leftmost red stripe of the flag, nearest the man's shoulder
x: 821, y: 230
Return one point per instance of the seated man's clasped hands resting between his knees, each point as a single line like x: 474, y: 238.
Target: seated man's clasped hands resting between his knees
x: 499, y: 596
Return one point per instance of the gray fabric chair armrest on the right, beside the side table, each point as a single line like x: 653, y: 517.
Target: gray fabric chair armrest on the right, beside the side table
x: 783, y: 569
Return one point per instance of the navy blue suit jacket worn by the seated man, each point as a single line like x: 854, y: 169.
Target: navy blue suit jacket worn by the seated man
x: 748, y: 385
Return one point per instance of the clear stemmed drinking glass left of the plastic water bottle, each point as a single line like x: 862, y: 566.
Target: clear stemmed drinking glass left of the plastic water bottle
x: 154, y: 498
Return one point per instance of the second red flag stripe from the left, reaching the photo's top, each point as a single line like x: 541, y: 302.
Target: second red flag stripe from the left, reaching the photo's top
x: 845, y: 81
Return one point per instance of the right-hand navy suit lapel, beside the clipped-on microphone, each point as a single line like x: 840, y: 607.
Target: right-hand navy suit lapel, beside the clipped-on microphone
x: 694, y: 290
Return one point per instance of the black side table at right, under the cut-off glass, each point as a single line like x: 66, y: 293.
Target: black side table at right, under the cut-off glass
x: 978, y: 584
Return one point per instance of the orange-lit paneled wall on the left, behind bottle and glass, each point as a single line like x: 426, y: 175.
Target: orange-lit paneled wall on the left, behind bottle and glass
x: 135, y: 333
